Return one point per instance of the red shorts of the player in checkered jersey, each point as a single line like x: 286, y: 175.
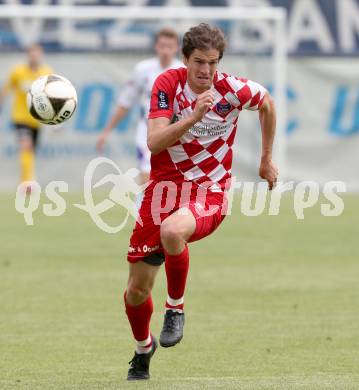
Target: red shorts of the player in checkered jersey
x: 162, y: 199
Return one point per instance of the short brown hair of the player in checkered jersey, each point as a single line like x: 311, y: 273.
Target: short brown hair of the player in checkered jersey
x: 203, y: 37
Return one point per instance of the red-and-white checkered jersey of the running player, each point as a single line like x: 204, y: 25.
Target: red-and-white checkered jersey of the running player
x: 204, y: 153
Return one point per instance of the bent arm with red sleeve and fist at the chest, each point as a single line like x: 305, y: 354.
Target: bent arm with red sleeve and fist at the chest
x: 161, y: 132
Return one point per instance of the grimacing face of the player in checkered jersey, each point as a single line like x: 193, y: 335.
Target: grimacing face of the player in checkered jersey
x: 201, y: 67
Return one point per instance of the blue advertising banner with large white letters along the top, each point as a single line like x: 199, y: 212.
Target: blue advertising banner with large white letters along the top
x: 315, y: 27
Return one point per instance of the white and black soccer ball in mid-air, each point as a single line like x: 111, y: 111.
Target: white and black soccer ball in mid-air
x: 52, y: 99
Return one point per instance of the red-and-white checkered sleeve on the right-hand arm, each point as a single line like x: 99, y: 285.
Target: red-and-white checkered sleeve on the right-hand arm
x: 250, y: 94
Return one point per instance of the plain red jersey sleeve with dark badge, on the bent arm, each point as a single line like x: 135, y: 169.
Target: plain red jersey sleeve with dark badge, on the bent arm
x: 162, y: 96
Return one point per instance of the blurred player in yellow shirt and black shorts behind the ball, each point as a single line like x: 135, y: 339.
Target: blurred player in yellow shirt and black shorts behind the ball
x: 26, y: 127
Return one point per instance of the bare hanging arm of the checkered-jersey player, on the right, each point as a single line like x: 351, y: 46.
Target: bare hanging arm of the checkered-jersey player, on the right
x: 267, y: 116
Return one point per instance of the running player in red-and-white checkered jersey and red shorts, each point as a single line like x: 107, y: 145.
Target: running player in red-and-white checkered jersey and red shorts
x: 191, y: 129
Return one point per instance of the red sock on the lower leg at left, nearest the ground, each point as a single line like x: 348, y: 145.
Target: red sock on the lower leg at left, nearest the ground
x: 139, y: 318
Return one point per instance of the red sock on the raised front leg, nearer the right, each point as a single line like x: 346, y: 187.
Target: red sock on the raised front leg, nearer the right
x: 176, y: 270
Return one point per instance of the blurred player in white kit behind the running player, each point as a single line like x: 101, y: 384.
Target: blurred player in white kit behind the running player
x: 138, y: 91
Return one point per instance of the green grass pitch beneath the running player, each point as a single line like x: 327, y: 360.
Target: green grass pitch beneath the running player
x: 271, y: 303
